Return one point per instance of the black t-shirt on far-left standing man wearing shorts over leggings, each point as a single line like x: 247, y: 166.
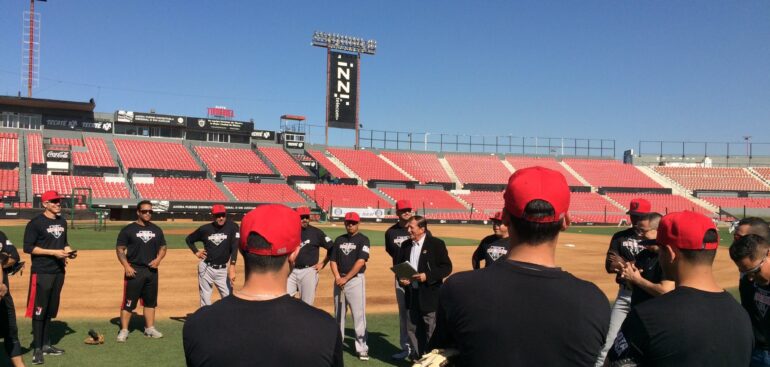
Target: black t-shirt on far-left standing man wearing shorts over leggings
x: 48, y: 234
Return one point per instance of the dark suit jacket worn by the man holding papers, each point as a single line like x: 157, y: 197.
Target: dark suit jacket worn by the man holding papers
x: 435, y: 263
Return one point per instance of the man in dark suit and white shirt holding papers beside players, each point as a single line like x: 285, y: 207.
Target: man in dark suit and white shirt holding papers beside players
x: 428, y: 255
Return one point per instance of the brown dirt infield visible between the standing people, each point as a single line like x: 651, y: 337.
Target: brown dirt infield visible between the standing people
x: 94, y: 282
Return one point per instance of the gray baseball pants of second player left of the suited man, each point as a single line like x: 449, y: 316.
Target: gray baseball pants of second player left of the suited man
x: 352, y: 295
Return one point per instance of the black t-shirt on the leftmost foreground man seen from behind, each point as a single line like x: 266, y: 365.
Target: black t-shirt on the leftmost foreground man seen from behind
x: 281, y: 332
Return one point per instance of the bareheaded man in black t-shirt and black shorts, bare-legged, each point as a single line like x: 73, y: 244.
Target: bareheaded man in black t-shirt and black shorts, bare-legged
x: 141, y: 246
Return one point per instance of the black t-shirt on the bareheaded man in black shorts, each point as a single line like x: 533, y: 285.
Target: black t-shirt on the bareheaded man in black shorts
x: 142, y: 242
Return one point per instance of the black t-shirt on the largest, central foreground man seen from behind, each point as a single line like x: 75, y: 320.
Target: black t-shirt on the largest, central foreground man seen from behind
x: 518, y: 314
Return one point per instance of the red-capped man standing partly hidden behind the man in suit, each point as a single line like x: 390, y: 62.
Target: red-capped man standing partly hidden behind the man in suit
x: 394, y: 238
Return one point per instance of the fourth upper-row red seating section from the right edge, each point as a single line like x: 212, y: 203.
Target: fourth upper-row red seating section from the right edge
x: 478, y: 169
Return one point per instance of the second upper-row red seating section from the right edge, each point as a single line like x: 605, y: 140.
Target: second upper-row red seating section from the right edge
x: 611, y: 173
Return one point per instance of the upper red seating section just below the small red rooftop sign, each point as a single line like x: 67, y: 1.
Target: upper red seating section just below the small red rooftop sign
x: 232, y: 160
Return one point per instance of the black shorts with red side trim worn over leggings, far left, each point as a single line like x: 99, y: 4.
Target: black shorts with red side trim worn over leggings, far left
x: 44, y: 294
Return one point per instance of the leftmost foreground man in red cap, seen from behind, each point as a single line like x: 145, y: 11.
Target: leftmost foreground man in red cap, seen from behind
x: 261, y: 324
